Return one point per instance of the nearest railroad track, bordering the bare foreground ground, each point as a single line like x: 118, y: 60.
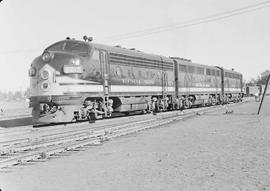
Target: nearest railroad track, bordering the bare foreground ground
x: 97, y: 137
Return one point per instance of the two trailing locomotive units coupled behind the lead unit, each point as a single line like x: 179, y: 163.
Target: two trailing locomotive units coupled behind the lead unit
x: 206, y: 85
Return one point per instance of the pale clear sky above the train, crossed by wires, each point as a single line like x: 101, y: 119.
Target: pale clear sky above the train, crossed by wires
x: 240, y: 41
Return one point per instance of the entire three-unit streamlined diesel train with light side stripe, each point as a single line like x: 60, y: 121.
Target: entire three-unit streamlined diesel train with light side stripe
x: 75, y: 80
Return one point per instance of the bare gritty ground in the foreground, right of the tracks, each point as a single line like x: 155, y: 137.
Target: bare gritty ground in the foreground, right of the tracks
x: 215, y: 151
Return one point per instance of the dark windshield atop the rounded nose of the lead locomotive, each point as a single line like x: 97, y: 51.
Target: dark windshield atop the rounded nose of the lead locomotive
x: 70, y: 46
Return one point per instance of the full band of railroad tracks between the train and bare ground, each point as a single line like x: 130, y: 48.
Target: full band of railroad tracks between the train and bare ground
x: 48, y: 143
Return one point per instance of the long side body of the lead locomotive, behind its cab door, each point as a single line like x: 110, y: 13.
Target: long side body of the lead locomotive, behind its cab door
x: 134, y: 77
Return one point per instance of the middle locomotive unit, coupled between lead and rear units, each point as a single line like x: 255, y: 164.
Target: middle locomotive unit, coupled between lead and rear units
x: 200, y: 82
